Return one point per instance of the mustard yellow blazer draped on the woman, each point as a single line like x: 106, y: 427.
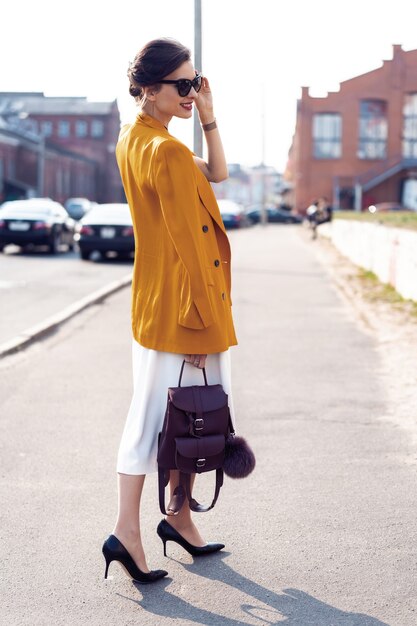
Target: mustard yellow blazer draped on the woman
x: 181, y: 276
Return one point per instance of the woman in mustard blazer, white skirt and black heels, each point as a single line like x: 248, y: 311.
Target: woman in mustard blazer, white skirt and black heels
x: 181, y: 305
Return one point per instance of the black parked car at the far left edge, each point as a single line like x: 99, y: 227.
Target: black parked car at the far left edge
x: 36, y: 222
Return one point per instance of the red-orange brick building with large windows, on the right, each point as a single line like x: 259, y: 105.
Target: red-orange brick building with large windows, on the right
x: 358, y: 146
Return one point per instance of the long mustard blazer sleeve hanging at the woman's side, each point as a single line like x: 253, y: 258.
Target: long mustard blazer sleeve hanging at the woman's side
x: 176, y: 185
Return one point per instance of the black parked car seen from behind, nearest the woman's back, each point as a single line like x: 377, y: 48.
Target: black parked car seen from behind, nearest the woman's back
x: 106, y: 228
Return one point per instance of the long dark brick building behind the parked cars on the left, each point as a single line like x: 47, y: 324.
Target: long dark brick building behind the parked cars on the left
x: 58, y: 147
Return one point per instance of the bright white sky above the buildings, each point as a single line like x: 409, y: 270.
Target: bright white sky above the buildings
x: 257, y: 55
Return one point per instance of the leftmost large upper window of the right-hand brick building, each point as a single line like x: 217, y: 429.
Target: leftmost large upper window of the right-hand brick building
x: 327, y: 136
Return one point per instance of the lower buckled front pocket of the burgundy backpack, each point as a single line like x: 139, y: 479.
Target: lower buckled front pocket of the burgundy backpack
x: 195, y: 454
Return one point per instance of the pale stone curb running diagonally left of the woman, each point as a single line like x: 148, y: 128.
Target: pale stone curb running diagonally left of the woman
x: 30, y: 335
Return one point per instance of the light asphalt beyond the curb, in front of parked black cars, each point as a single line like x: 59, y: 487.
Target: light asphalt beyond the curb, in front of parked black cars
x: 36, y: 285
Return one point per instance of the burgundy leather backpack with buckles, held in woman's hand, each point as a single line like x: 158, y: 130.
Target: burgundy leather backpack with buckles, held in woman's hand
x: 196, y: 425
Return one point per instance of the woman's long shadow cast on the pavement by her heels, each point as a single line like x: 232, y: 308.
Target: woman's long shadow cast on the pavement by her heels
x: 292, y: 607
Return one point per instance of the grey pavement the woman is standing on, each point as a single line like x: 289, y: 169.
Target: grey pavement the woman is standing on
x: 321, y: 534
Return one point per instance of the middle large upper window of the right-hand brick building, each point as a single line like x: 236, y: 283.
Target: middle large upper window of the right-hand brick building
x: 373, y: 129
